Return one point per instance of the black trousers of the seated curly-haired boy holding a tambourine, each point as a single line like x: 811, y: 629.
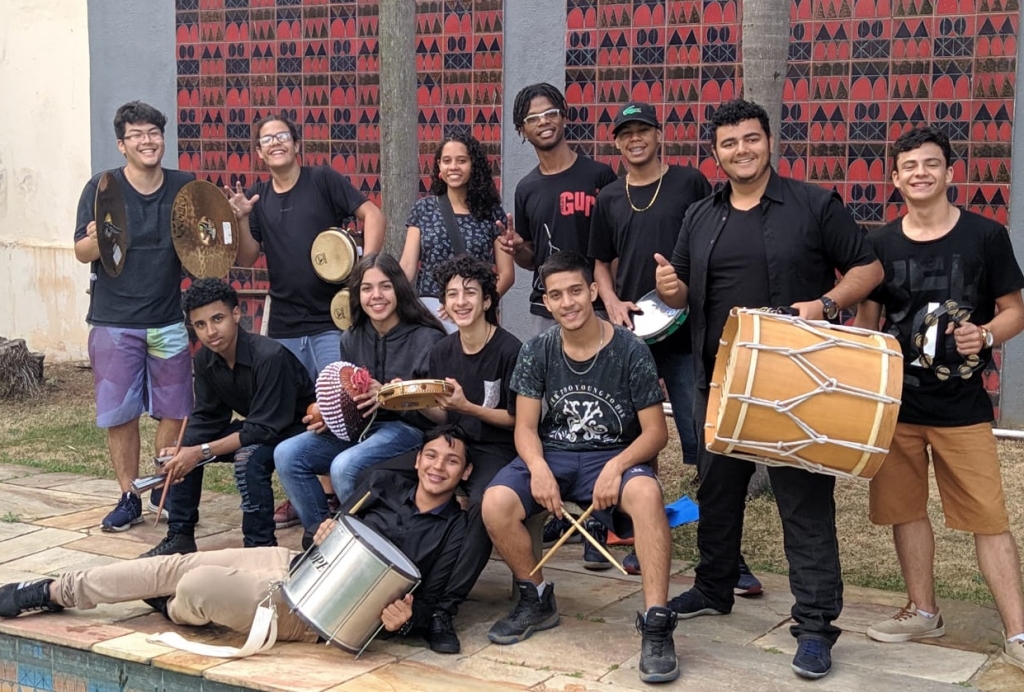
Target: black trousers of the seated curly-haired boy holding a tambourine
x: 488, y: 460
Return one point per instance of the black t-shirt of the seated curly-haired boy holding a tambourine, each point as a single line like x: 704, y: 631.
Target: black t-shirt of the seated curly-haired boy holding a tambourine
x: 486, y: 378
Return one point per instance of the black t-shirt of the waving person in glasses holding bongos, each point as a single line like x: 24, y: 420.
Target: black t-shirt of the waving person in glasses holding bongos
x: 287, y: 225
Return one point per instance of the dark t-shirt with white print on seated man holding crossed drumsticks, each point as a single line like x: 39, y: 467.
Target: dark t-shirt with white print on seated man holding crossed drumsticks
x: 594, y: 411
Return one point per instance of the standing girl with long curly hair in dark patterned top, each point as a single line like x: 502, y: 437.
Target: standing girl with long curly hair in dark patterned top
x: 462, y: 175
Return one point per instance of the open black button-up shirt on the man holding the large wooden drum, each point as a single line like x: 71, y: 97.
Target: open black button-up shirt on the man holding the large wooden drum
x: 809, y: 236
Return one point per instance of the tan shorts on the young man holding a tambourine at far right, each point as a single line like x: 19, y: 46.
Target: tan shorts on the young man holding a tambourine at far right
x: 967, y: 471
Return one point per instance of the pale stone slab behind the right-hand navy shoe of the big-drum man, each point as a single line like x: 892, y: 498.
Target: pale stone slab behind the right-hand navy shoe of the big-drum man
x: 912, y: 659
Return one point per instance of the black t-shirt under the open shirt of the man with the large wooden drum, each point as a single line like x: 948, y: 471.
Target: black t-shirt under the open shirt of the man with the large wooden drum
x: 738, y: 276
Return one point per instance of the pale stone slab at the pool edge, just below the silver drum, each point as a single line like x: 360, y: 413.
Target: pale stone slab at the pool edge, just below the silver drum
x: 298, y: 668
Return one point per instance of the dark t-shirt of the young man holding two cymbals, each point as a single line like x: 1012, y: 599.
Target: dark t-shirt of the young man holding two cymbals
x: 148, y: 292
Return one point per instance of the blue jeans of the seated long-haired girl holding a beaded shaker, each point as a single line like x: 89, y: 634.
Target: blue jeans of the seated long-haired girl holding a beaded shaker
x: 300, y: 460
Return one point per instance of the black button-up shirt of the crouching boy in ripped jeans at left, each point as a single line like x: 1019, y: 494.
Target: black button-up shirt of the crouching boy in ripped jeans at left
x: 269, y: 386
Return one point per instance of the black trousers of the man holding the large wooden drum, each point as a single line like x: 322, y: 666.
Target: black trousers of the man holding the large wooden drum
x: 807, y: 508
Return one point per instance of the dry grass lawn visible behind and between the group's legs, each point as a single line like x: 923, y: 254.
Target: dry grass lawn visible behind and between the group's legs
x: 56, y: 431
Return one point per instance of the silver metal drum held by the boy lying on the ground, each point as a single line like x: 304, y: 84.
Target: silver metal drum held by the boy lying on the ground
x: 340, y: 587
